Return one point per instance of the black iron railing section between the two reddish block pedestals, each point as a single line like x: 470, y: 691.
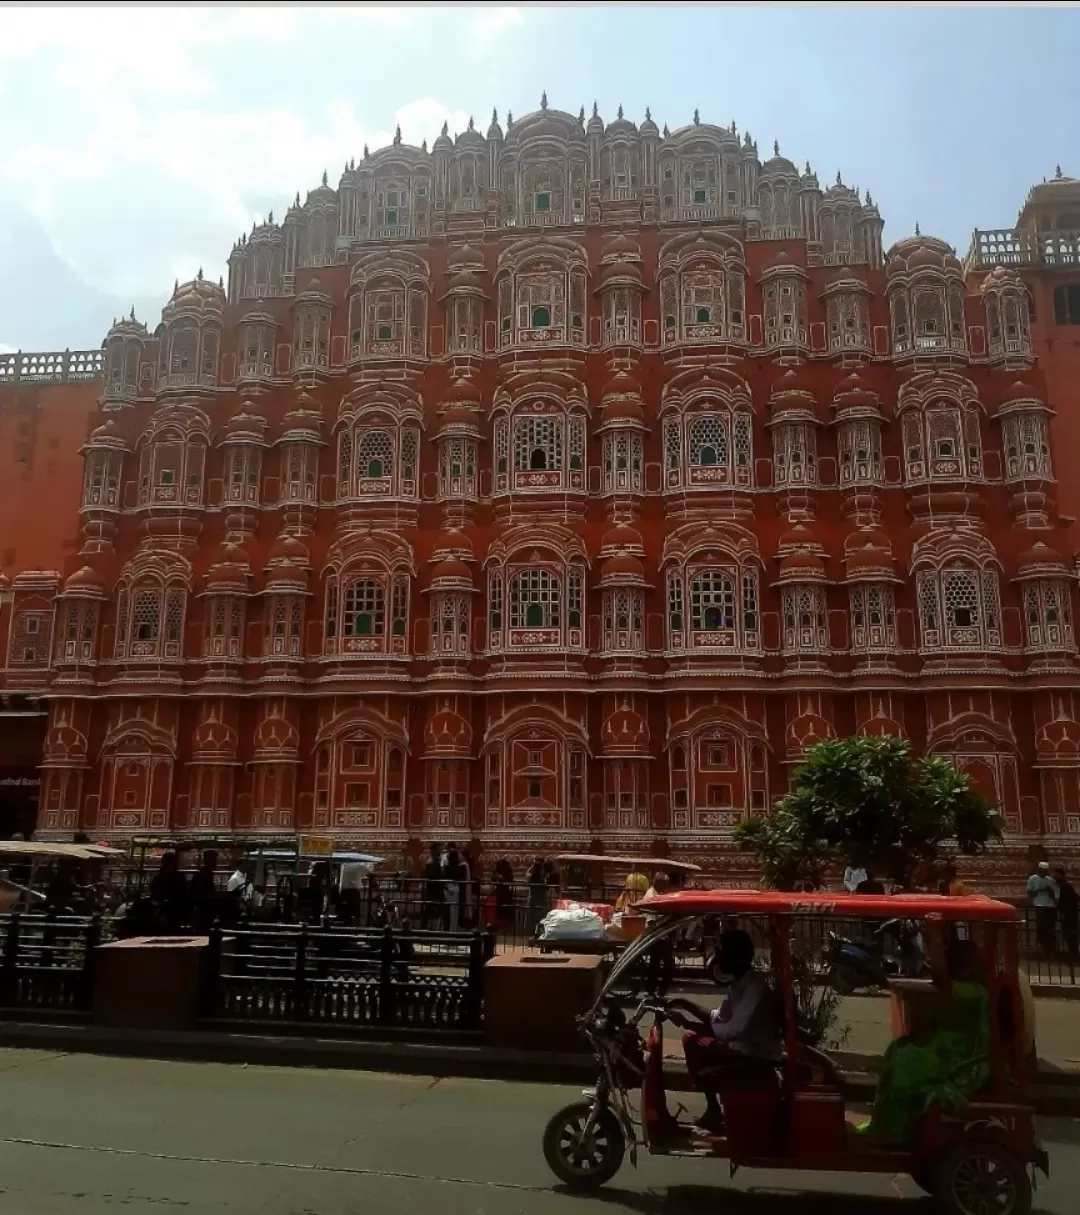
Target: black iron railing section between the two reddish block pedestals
x: 355, y: 980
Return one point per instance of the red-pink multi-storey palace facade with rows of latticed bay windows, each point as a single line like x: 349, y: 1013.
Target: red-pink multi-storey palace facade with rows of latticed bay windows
x: 552, y: 487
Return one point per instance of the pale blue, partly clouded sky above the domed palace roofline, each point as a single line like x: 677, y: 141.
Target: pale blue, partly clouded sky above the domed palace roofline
x: 139, y: 143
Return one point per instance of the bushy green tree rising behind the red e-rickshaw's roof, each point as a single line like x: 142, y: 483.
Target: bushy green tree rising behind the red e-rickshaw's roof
x: 868, y: 803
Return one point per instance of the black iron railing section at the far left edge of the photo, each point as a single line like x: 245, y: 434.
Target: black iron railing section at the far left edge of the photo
x: 48, y: 965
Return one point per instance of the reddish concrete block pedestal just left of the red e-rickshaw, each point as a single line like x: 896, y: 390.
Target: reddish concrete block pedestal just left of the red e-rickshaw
x: 531, y: 1002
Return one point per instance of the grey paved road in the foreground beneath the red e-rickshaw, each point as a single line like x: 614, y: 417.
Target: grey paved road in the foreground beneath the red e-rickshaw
x: 83, y: 1135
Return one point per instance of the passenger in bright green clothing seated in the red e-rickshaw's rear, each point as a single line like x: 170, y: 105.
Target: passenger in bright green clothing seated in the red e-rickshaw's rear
x: 945, y: 1067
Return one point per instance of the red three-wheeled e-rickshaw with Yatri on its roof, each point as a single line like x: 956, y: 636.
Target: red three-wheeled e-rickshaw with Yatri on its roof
x: 975, y: 1159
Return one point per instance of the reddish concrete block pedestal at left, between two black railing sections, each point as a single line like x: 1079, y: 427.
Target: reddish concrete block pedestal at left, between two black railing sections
x: 149, y: 982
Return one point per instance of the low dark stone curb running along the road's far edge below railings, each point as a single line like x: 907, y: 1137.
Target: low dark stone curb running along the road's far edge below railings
x: 1055, y: 1093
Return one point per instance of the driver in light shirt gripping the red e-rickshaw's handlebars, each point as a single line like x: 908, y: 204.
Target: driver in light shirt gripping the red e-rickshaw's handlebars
x: 737, y: 1046
